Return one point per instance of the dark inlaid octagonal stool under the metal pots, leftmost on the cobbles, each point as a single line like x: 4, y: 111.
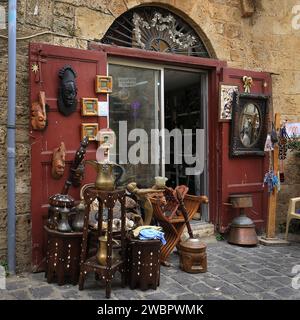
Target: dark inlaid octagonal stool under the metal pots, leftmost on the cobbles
x: 62, y: 256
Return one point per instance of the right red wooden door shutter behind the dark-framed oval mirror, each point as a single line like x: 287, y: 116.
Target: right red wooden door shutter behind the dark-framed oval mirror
x: 242, y: 174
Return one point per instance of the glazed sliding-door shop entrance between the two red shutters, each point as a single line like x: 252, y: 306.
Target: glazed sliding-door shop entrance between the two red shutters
x: 150, y: 97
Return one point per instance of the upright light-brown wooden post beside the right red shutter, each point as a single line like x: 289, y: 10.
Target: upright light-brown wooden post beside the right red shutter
x: 273, y: 196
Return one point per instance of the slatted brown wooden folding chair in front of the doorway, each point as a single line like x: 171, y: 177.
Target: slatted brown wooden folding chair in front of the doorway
x: 173, y: 224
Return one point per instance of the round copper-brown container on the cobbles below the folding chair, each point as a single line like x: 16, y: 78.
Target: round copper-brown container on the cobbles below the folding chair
x: 193, y: 257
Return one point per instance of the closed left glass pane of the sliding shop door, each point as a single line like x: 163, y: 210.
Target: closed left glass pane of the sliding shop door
x: 134, y: 111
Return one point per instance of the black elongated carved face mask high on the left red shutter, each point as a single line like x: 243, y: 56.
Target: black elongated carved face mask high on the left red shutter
x: 67, y: 91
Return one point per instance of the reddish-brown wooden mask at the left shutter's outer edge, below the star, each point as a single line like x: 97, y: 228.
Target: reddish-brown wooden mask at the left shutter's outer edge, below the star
x: 38, y: 113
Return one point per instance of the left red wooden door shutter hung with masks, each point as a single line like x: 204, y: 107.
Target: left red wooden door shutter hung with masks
x: 87, y: 65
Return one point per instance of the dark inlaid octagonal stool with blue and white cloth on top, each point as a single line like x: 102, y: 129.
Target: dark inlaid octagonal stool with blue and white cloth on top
x: 143, y: 264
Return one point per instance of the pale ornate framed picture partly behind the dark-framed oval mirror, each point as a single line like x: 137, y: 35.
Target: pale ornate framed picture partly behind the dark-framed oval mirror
x: 226, y: 100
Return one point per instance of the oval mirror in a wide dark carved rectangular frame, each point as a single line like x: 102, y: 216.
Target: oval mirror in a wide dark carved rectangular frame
x: 249, y: 124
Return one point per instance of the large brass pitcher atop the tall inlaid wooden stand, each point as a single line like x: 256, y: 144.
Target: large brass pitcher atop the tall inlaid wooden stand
x: 108, y: 174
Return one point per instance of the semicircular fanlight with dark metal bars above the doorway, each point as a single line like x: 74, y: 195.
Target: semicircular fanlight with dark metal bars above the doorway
x: 156, y: 29
